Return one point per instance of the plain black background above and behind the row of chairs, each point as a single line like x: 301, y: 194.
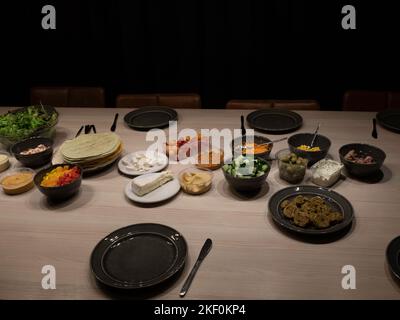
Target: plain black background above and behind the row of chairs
x: 221, y: 49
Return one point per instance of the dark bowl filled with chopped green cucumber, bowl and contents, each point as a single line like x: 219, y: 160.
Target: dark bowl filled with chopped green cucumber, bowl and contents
x: 246, y: 173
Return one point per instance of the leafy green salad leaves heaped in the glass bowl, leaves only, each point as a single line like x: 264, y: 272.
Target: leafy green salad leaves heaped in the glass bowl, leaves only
x: 25, y: 122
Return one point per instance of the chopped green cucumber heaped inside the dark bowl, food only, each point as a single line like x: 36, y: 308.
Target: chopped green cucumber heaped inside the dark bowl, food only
x: 246, y: 167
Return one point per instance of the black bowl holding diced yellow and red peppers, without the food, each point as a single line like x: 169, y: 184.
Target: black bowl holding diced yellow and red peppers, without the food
x: 58, y: 193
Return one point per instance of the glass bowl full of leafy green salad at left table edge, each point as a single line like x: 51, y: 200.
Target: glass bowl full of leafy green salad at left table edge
x: 23, y: 123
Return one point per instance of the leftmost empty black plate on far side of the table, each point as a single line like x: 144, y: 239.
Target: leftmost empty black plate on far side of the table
x: 147, y: 118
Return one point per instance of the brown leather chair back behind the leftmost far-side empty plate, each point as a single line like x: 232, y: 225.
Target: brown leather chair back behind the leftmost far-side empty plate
x: 191, y: 101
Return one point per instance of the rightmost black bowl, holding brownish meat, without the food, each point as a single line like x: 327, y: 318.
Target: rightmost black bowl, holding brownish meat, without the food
x: 358, y: 169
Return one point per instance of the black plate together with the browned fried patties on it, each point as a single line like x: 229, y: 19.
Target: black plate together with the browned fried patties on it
x: 310, y: 210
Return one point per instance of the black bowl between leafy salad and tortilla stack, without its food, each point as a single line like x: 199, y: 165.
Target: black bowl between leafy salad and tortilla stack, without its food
x: 33, y: 160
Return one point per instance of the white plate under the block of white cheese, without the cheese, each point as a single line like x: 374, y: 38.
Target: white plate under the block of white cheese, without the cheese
x: 162, y: 193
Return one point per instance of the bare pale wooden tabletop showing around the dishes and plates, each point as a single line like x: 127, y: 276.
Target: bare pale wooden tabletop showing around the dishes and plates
x: 251, y: 258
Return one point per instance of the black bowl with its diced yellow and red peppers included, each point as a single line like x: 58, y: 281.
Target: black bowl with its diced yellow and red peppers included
x: 59, y: 182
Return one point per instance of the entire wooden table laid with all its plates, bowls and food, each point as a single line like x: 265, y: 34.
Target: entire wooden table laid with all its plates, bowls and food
x: 298, y: 193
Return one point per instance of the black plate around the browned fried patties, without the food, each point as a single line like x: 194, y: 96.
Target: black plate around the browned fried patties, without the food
x: 335, y: 200
